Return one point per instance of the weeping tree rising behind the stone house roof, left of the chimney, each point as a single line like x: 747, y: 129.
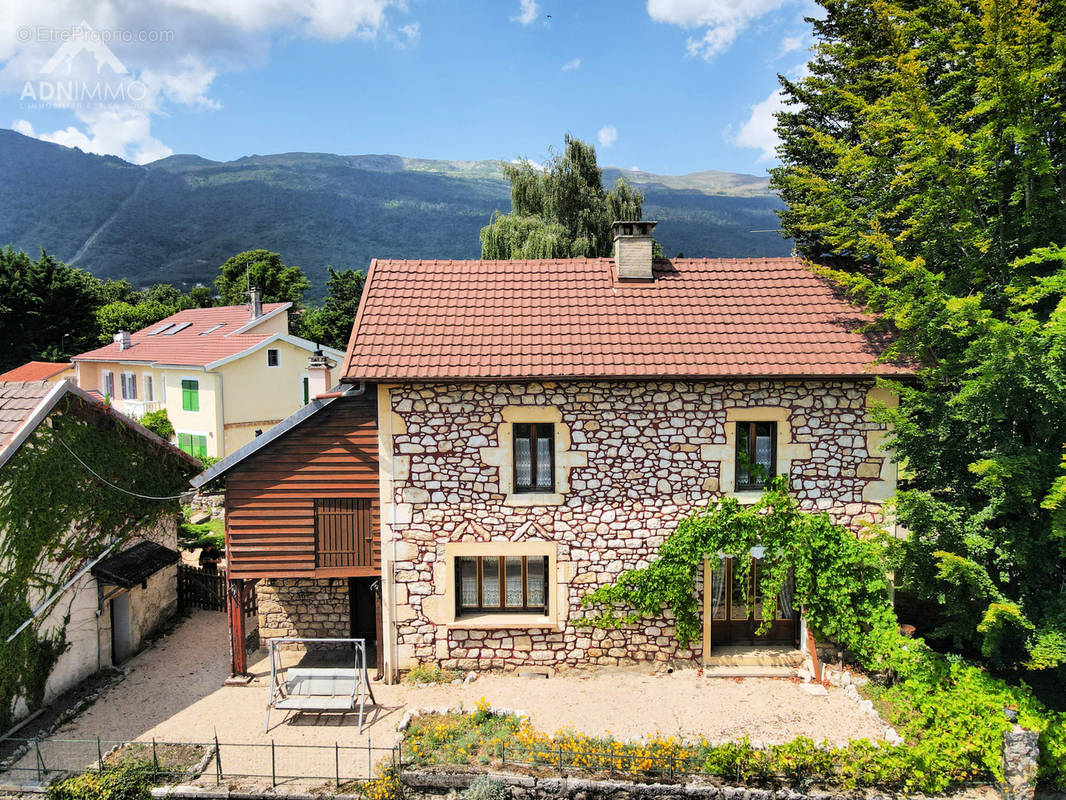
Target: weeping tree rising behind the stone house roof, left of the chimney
x: 560, y: 211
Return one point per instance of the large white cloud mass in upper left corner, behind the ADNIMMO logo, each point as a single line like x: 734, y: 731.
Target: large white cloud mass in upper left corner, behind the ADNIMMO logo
x: 172, y: 53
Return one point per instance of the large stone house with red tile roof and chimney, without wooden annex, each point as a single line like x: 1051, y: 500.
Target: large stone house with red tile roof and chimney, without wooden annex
x: 543, y: 425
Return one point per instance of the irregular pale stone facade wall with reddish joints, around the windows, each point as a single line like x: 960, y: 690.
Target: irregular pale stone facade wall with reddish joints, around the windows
x: 643, y: 456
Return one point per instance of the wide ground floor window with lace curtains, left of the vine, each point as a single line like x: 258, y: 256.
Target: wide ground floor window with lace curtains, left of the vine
x: 502, y: 584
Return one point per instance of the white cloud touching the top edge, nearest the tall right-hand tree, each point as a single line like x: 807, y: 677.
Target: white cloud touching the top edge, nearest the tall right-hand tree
x: 722, y: 21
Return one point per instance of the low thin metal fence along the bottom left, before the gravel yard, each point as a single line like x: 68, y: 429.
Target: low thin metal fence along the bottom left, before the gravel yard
x: 40, y: 762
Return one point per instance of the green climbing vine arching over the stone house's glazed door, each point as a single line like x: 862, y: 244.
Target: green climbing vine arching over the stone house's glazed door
x: 841, y: 579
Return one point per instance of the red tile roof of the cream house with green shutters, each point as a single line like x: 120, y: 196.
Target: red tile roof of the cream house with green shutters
x: 192, y: 346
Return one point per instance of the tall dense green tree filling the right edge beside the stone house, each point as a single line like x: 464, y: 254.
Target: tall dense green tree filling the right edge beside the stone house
x: 925, y: 163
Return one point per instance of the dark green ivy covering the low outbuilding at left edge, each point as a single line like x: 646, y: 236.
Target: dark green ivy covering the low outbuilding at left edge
x: 55, y: 517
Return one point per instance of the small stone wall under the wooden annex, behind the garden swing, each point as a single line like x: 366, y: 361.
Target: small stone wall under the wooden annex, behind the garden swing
x: 303, y: 607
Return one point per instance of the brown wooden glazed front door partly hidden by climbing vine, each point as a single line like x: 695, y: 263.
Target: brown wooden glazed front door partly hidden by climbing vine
x: 736, y: 604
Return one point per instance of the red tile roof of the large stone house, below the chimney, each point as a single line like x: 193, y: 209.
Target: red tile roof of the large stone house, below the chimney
x: 700, y: 318
